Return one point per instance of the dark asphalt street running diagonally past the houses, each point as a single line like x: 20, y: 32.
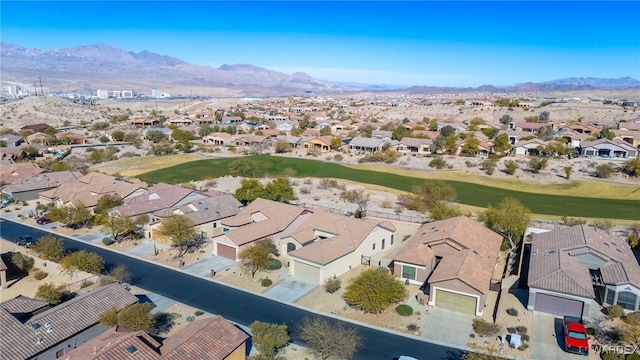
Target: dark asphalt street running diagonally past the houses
x: 239, y: 306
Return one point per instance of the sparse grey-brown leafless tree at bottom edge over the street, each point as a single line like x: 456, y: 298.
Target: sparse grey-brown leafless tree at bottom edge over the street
x: 328, y: 339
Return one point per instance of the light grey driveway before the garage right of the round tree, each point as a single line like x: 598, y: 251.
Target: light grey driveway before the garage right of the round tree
x: 447, y: 326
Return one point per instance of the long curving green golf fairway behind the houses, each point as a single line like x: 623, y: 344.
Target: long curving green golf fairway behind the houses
x: 468, y: 193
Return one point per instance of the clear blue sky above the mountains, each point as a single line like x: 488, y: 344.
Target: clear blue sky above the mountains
x: 446, y: 43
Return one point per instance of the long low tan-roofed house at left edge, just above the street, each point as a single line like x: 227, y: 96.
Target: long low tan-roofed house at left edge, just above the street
x: 29, y: 188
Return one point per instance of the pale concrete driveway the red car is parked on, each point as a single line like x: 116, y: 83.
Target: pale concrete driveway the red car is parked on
x: 547, y: 339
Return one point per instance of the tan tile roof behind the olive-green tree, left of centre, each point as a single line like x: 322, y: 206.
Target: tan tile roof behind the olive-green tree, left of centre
x: 203, y: 211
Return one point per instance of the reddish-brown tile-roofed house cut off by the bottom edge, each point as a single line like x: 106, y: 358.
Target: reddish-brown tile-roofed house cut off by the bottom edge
x: 213, y: 338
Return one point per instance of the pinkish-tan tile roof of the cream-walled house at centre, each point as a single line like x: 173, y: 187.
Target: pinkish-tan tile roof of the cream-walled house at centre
x: 349, y: 234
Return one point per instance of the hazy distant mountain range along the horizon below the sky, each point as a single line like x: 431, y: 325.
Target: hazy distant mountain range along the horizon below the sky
x: 104, y: 66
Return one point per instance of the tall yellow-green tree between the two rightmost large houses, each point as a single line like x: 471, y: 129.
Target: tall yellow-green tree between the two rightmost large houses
x: 509, y: 218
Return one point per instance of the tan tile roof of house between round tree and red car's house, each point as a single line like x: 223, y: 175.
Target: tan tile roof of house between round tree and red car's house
x: 473, y: 263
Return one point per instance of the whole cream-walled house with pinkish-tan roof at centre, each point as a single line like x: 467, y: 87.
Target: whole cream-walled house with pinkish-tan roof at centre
x: 328, y: 245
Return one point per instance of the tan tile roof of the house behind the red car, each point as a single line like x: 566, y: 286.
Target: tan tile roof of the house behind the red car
x: 555, y: 262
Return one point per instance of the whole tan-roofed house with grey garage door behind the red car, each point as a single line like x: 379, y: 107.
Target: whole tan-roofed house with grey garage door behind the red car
x: 570, y: 268
